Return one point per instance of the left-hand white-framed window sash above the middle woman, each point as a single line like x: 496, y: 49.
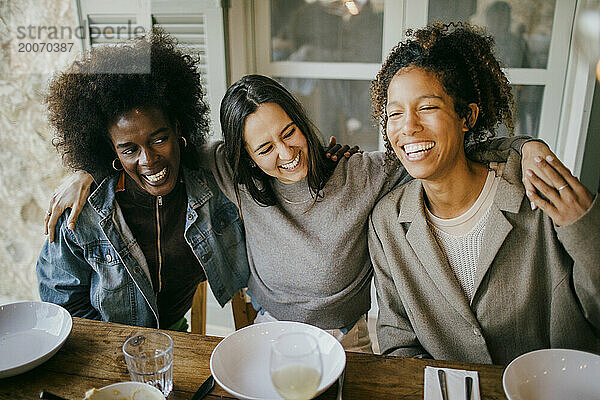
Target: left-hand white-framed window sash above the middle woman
x: 327, y: 53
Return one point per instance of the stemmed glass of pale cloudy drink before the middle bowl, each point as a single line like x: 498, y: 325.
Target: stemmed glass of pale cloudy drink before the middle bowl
x: 296, y: 366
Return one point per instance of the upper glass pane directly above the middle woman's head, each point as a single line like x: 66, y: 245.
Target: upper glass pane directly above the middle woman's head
x: 326, y: 31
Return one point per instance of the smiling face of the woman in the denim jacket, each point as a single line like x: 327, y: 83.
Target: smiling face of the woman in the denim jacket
x: 147, y: 147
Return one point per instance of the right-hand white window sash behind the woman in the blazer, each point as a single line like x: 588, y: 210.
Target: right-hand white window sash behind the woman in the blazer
x: 532, y: 39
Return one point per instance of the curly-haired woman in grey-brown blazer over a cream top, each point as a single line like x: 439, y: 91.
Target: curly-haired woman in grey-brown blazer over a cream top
x: 465, y: 268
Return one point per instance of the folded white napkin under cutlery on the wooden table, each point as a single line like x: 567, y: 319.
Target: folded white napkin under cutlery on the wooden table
x: 455, y: 382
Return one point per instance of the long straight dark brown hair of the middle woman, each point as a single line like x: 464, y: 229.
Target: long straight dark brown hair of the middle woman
x: 243, y: 99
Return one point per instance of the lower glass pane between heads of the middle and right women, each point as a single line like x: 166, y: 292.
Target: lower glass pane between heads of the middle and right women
x: 341, y: 108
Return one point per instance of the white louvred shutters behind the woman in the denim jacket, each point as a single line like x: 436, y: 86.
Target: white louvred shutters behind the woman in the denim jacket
x: 197, y: 25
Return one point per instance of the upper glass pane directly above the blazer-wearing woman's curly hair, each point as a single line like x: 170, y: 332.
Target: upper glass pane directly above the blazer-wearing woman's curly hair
x: 521, y: 28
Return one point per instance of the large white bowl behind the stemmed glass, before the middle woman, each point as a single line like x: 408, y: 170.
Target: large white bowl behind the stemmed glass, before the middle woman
x: 240, y: 362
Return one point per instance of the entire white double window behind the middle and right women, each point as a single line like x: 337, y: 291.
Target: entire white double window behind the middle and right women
x: 327, y: 52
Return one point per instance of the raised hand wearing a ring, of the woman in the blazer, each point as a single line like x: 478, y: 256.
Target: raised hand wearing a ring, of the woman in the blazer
x: 566, y: 199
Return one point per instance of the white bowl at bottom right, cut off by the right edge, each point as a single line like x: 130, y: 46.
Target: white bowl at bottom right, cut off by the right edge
x: 553, y: 374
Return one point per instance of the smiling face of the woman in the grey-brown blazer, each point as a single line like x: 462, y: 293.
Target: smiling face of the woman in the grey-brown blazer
x: 423, y: 127
